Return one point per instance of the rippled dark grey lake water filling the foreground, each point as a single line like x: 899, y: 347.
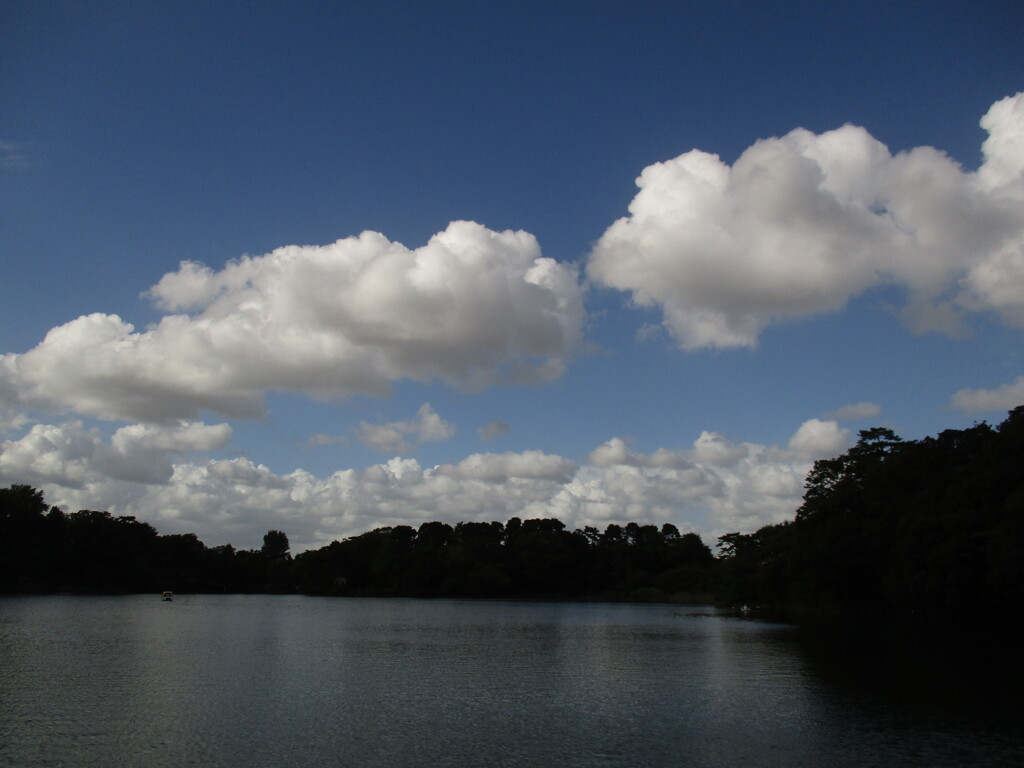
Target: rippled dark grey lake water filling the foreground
x: 295, y: 681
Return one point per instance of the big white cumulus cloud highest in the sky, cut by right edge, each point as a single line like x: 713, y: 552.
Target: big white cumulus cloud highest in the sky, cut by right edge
x: 801, y: 225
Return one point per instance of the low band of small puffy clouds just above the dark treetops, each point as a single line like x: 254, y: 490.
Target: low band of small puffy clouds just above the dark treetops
x: 713, y: 487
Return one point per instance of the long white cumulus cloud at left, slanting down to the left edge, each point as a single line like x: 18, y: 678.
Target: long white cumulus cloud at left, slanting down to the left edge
x: 474, y: 308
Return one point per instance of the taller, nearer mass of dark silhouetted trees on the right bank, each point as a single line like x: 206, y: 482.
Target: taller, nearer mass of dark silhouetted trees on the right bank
x: 931, y: 527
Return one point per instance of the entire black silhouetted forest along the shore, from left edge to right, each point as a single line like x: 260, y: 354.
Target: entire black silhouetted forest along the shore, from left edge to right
x: 891, y: 527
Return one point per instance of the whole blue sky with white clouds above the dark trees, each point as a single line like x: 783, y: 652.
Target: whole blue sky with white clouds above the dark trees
x: 323, y: 268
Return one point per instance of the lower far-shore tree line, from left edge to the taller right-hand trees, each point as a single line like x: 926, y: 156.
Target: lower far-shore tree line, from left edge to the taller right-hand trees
x: 45, y: 549
